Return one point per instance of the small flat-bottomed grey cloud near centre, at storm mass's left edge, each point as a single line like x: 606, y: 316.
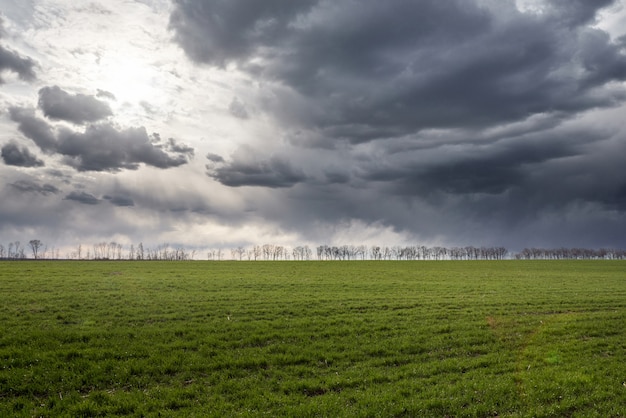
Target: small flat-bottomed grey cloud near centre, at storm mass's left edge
x: 247, y: 169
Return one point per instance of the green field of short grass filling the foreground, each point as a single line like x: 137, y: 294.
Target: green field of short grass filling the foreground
x: 360, y: 338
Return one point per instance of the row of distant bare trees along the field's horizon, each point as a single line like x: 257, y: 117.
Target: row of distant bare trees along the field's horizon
x: 115, y: 251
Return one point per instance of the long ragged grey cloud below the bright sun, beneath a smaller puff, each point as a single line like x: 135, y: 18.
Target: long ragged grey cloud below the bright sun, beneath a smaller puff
x: 103, y: 146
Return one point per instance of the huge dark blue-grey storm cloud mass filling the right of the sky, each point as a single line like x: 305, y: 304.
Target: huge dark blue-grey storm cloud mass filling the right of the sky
x: 449, y: 120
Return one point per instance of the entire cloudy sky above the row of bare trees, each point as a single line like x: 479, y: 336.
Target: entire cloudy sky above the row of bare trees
x: 219, y: 124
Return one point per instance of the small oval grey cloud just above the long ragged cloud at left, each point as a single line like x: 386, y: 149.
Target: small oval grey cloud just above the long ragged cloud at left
x: 58, y: 104
